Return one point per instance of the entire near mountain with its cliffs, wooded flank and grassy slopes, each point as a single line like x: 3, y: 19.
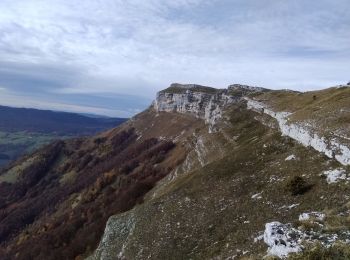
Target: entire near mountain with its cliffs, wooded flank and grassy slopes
x: 201, y: 174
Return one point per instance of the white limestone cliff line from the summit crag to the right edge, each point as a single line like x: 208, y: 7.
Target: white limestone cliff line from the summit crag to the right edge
x: 208, y: 103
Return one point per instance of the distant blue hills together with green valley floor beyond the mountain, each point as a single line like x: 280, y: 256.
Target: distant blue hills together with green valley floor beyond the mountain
x: 23, y: 130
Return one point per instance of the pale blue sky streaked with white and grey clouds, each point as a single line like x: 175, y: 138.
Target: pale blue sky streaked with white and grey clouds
x: 110, y: 57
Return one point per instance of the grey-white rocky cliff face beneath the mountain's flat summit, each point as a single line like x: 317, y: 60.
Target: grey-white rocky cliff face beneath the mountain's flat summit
x: 200, y: 101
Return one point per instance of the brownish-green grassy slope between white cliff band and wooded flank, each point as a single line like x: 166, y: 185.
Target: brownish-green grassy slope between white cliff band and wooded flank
x: 210, y: 213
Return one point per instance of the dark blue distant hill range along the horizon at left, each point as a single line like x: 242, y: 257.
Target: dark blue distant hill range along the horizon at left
x: 60, y: 123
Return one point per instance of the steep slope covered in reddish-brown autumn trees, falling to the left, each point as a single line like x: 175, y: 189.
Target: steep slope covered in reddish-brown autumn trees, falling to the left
x: 60, y: 197
